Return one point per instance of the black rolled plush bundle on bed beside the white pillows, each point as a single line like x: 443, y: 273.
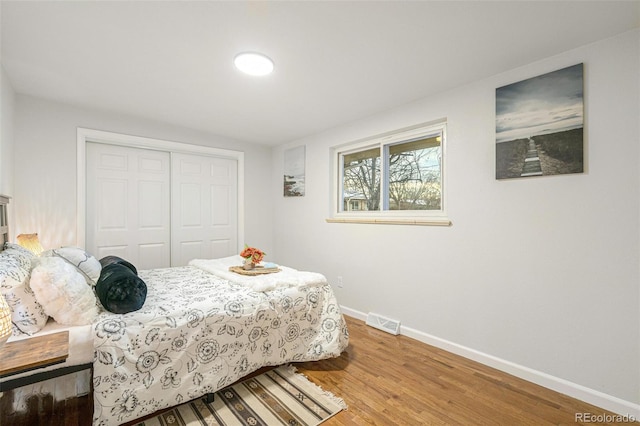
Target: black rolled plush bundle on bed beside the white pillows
x: 119, y: 288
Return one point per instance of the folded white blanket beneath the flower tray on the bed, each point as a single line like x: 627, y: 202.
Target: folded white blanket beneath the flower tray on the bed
x: 287, y: 277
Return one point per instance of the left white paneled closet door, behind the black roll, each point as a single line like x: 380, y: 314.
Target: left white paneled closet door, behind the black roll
x: 129, y: 204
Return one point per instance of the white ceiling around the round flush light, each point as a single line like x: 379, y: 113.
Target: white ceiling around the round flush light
x: 335, y: 61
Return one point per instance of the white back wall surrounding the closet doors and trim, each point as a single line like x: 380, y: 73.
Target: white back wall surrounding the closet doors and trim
x: 45, y: 167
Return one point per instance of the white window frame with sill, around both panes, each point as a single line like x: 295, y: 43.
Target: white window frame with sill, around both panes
x: 404, y: 217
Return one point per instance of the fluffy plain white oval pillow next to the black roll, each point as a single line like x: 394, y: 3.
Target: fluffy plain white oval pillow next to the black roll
x: 63, y: 292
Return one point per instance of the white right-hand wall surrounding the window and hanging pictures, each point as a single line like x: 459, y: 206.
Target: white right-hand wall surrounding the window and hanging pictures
x: 540, y: 272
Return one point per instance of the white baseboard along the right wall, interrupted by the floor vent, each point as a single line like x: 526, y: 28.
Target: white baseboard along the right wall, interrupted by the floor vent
x: 574, y: 390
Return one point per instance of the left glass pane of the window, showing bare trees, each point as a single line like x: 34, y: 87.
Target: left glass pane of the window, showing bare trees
x: 361, y: 180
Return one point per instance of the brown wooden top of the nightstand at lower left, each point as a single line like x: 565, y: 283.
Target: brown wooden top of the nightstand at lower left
x: 33, y: 353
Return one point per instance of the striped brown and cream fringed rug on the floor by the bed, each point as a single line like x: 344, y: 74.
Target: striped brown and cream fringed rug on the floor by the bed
x: 277, y: 397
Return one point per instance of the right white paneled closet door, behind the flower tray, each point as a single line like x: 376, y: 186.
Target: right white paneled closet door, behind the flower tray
x: 204, y: 214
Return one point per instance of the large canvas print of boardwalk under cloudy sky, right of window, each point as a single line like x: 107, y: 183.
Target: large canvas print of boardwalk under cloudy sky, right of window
x: 539, y: 125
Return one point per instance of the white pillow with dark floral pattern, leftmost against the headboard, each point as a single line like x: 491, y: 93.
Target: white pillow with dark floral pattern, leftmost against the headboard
x: 15, y: 267
